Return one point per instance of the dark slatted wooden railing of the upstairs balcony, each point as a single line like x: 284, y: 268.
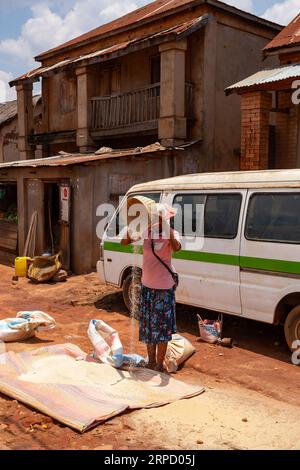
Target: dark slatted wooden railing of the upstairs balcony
x: 130, y: 112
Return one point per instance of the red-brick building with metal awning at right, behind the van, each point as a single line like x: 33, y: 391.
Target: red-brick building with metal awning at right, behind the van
x: 270, y: 106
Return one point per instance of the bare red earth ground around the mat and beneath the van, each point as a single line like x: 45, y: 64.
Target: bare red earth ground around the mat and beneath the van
x: 259, y: 361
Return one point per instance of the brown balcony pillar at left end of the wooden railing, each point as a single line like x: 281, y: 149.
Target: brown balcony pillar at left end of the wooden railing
x: 85, y: 84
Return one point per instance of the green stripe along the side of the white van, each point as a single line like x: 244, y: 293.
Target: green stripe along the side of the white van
x: 261, y: 264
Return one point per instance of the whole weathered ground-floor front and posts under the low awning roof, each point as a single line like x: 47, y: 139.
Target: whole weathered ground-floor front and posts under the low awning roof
x: 91, y: 185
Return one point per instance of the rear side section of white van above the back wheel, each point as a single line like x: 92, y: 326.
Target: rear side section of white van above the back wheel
x: 270, y: 251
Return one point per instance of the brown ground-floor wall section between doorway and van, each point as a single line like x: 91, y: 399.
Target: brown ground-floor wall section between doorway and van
x: 116, y: 178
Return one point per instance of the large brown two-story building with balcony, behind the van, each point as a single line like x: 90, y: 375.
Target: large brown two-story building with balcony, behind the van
x: 156, y: 74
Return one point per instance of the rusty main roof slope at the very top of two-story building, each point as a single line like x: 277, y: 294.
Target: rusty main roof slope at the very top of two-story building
x: 152, y: 10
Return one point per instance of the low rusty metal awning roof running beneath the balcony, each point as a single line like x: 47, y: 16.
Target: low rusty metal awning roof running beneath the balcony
x: 77, y: 158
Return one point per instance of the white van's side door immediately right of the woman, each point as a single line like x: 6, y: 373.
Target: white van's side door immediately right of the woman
x: 209, y: 265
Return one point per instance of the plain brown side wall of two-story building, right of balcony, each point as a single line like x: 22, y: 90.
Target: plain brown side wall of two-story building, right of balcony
x: 238, y: 55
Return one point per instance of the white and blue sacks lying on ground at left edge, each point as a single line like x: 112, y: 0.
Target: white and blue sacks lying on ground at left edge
x: 25, y: 325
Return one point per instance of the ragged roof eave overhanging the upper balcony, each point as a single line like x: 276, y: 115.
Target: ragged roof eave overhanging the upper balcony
x: 174, y: 33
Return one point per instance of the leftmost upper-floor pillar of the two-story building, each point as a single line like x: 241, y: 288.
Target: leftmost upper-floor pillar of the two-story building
x: 25, y: 120
